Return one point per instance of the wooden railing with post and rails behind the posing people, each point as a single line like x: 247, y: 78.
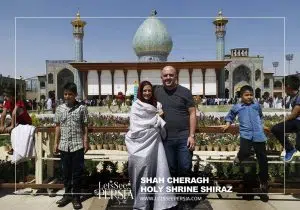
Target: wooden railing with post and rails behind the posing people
x: 44, y: 142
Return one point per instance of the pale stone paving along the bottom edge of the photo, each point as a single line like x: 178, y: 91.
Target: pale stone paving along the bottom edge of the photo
x: 44, y: 202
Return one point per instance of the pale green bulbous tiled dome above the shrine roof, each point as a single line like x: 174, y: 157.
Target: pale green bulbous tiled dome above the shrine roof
x: 152, y: 41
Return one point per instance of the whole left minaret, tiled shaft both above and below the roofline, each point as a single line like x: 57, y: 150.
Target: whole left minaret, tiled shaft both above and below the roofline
x: 78, y: 33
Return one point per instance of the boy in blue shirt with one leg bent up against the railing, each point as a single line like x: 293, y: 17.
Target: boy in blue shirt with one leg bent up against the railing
x: 251, y: 133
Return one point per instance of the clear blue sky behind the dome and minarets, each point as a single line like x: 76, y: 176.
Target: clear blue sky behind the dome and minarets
x: 111, y: 39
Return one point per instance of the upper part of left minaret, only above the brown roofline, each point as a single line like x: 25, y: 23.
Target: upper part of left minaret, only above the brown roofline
x: 78, y: 33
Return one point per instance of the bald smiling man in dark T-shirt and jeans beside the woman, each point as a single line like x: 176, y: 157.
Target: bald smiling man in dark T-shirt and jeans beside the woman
x: 180, y: 116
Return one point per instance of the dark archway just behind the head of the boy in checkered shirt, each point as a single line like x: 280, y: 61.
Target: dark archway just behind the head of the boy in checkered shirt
x: 63, y: 77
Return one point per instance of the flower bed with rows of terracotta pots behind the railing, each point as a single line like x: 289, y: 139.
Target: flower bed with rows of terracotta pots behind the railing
x: 204, y: 141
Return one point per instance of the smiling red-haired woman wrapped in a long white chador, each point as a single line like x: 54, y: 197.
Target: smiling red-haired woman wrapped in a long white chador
x: 148, y: 164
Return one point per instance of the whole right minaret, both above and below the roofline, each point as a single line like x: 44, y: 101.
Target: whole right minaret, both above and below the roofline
x: 220, y: 24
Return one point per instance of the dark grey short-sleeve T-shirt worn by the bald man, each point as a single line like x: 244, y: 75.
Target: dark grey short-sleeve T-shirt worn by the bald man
x: 175, y: 105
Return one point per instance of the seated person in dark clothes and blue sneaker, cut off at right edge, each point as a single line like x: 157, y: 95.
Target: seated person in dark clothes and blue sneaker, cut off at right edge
x: 292, y: 121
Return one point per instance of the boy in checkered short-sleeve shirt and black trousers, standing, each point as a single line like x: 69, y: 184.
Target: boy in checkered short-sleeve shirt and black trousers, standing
x: 71, y: 140
